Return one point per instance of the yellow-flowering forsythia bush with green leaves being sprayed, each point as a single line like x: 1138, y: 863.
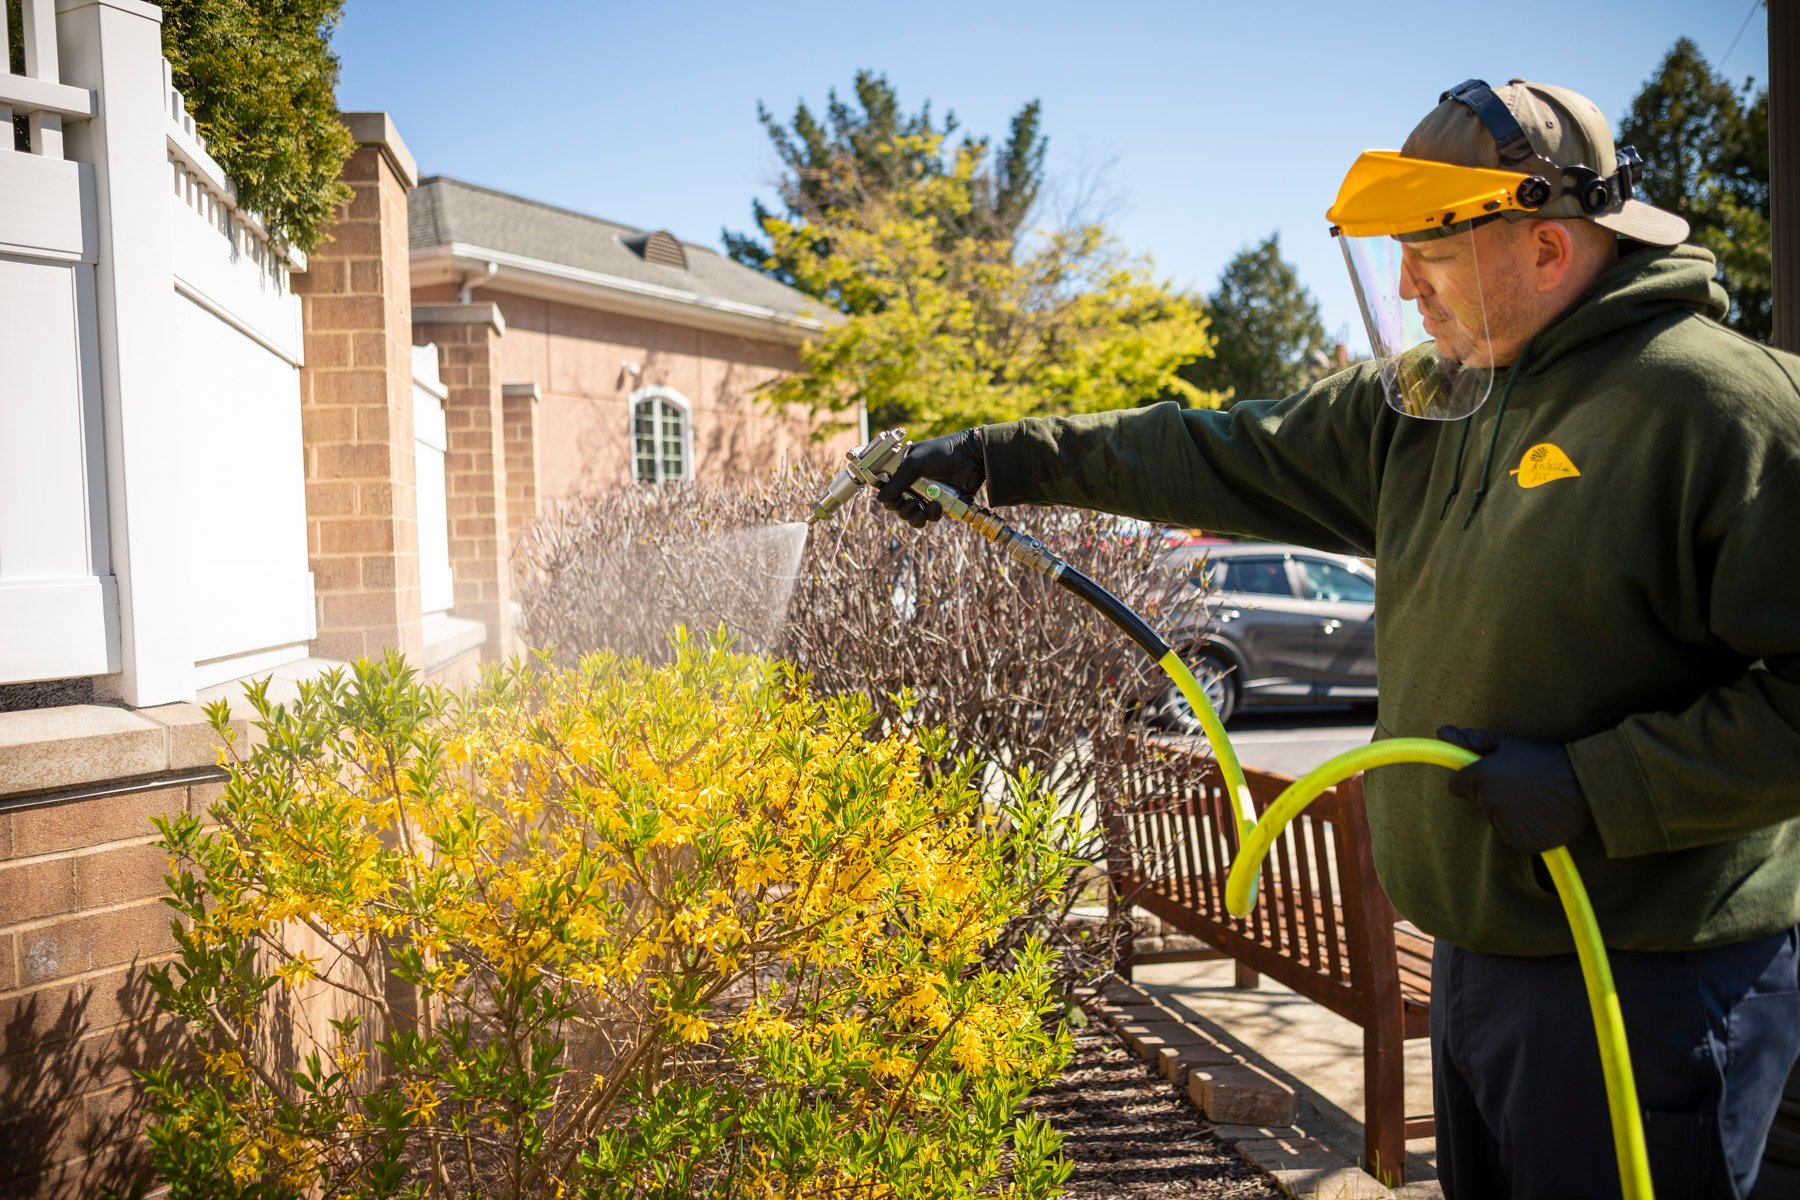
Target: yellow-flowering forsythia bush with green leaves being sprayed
x: 613, y: 931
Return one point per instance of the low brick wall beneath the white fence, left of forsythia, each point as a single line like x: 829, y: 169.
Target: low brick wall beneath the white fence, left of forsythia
x: 80, y: 920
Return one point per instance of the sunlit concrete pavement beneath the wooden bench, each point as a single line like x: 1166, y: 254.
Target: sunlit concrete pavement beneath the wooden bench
x: 1302, y: 1044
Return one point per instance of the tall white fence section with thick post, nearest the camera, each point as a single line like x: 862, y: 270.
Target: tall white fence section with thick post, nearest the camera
x: 152, y: 478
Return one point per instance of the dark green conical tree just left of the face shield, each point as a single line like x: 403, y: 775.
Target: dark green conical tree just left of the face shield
x: 1266, y: 328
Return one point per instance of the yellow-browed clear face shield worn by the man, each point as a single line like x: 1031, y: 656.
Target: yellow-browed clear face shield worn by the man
x: 1407, y: 229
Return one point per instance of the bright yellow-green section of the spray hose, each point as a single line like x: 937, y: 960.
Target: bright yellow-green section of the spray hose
x: 1257, y: 837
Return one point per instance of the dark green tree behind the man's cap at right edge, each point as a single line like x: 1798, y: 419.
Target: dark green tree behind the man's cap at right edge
x: 1705, y: 150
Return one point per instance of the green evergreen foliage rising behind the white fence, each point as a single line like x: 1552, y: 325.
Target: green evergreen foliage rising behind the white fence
x: 262, y: 85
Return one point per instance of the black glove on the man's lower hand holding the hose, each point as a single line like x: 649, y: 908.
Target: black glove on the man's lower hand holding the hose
x: 1525, y: 787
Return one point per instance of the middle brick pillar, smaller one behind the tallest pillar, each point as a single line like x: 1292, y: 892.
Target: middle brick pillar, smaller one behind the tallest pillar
x: 469, y: 363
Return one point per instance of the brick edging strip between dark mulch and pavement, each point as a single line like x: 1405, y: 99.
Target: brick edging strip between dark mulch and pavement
x: 1246, y: 1107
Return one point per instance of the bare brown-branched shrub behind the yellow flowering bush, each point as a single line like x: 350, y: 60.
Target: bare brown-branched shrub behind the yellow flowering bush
x: 1025, y: 676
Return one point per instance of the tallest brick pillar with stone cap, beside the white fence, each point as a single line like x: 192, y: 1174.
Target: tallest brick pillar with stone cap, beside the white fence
x: 363, y: 526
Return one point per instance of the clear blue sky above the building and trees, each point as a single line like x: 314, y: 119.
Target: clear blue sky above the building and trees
x: 1205, y: 127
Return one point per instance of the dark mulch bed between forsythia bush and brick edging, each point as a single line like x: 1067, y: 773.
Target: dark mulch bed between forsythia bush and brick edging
x: 1133, y: 1138
